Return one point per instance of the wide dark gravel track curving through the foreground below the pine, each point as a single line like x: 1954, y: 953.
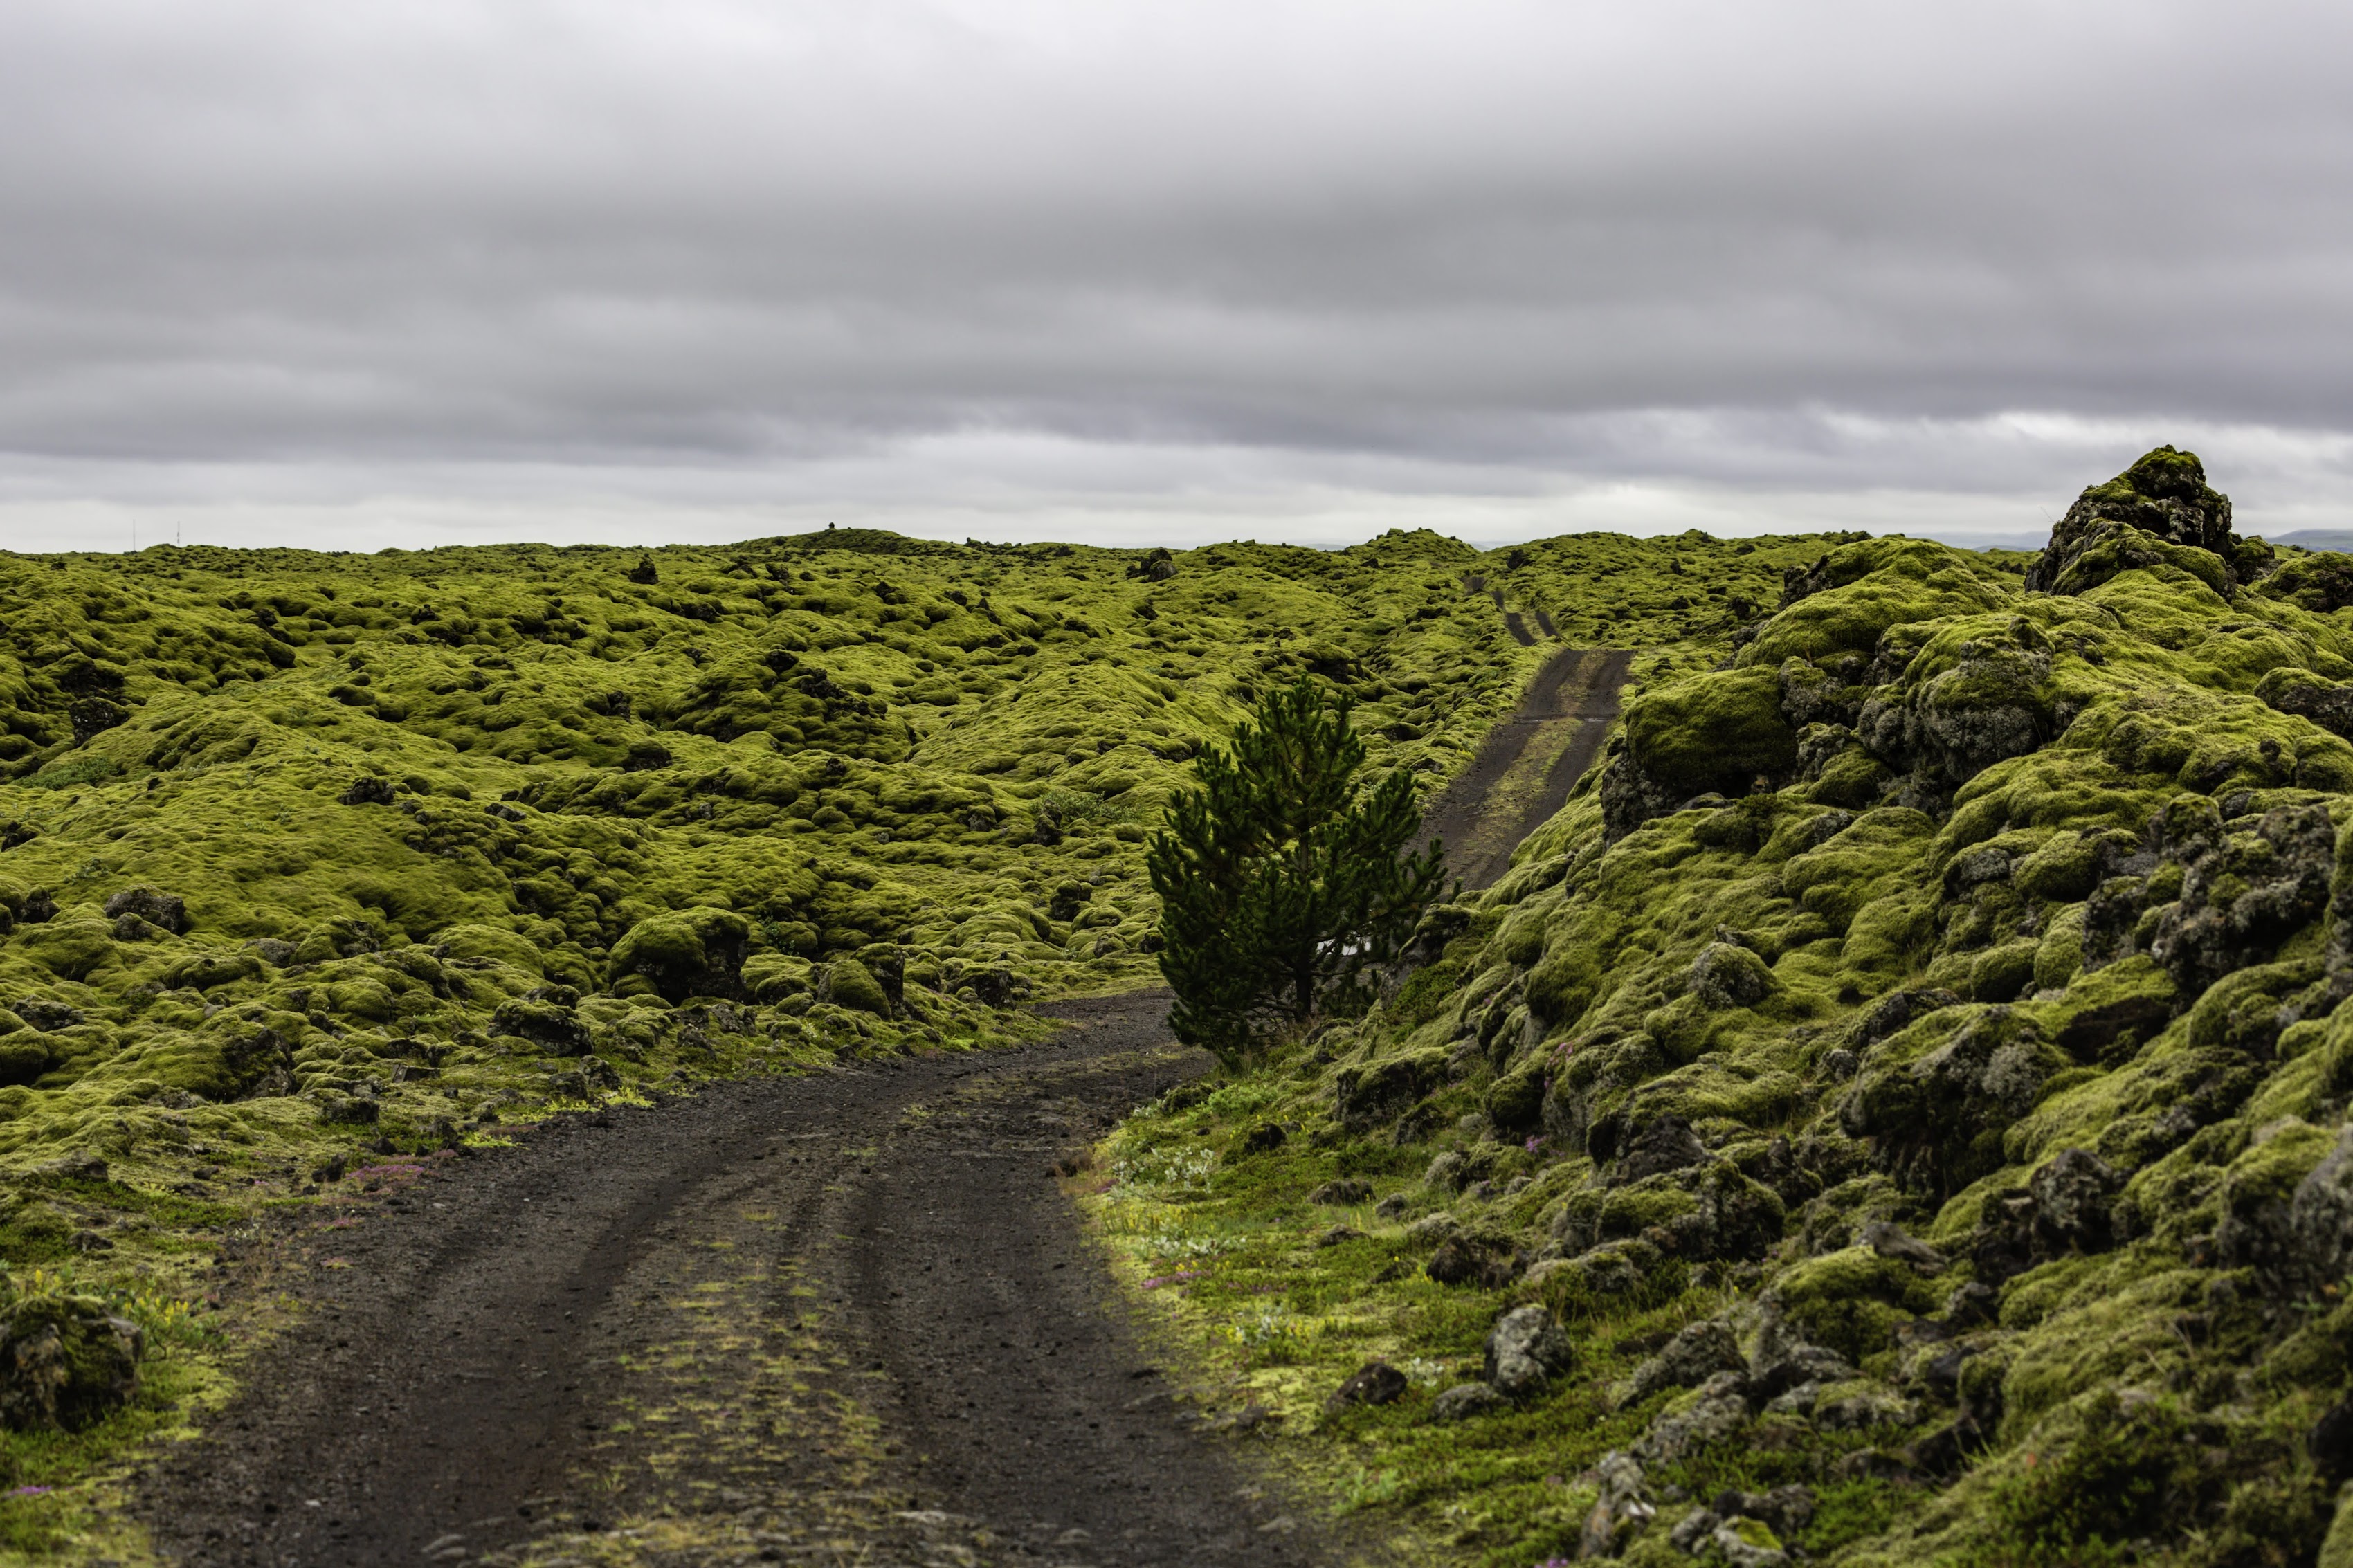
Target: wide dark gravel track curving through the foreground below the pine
x: 841, y: 1317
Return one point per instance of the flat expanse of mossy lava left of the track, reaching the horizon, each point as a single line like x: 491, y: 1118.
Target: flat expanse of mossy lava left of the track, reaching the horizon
x: 324, y: 868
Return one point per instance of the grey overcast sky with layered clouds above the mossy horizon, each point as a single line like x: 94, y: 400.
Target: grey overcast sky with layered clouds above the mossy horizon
x: 411, y: 272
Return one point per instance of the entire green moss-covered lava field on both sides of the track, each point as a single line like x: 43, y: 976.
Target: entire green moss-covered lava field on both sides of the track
x: 1895, y: 1112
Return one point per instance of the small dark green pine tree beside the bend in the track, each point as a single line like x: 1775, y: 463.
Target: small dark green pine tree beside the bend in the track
x: 1284, y: 879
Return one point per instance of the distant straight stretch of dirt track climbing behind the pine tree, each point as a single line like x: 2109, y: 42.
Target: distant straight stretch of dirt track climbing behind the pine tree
x: 1528, y: 764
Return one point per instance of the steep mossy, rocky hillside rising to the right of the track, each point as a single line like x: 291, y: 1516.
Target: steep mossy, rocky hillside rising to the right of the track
x: 1975, y: 1063
